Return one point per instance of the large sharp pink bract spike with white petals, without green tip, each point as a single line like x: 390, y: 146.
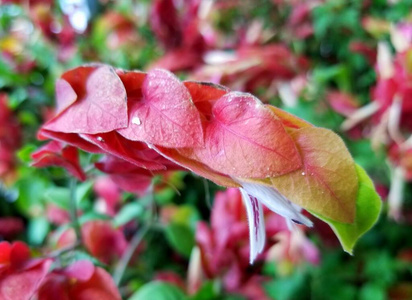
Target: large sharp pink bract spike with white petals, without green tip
x: 152, y: 123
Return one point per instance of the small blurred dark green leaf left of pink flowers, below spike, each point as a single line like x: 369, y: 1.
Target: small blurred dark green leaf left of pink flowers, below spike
x: 181, y: 238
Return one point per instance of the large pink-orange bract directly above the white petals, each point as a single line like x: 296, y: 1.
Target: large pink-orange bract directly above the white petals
x: 245, y: 139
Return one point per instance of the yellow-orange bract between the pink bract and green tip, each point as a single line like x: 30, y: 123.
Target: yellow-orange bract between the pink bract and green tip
x: 327, y: 183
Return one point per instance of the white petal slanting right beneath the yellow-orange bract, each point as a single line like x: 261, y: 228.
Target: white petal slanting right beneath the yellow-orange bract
x: 276, y: 202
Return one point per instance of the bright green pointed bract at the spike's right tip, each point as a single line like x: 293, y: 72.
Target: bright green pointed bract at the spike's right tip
x: 368, y: 207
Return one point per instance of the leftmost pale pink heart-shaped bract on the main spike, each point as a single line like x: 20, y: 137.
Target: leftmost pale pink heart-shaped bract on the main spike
x: 103, y: 107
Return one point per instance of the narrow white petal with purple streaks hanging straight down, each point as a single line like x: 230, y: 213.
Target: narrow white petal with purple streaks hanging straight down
x: 256, y: 221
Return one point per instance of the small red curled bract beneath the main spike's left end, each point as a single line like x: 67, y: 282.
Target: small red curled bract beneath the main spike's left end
x: 54, y: 154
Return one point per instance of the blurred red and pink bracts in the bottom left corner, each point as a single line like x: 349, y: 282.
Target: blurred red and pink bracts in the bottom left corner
x: 20, y: 275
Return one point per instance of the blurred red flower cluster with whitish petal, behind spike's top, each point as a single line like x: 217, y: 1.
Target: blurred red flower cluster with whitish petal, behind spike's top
x: 251, y: 67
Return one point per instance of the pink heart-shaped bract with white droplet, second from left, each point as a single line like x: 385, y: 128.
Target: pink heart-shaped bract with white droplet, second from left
x: 166, y: 115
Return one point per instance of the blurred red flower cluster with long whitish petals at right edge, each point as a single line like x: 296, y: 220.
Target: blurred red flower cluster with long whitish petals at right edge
x: 390, y: 110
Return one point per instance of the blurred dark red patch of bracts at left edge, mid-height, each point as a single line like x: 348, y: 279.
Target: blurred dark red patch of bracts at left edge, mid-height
x: 10, y: 139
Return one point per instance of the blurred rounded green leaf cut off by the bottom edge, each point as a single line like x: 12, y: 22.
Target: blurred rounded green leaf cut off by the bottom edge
x: 158, y: 290
